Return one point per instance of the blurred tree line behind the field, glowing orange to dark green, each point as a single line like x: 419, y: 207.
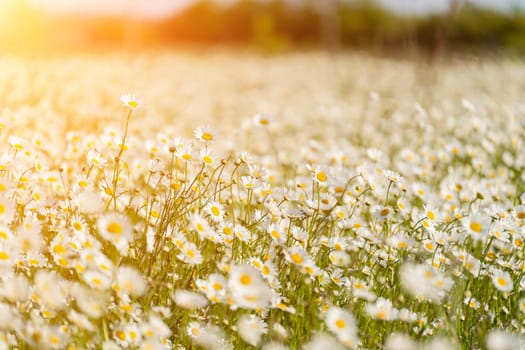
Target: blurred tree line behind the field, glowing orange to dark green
x: 275, y: 26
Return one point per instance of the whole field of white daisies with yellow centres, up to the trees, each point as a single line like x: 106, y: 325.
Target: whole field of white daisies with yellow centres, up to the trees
x: 220, y: 201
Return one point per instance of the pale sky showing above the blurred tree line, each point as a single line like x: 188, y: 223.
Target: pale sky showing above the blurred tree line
x: 155, y: 9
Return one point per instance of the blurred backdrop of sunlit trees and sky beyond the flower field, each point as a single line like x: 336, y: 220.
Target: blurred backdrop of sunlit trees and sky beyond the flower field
x: 387, y: 27
